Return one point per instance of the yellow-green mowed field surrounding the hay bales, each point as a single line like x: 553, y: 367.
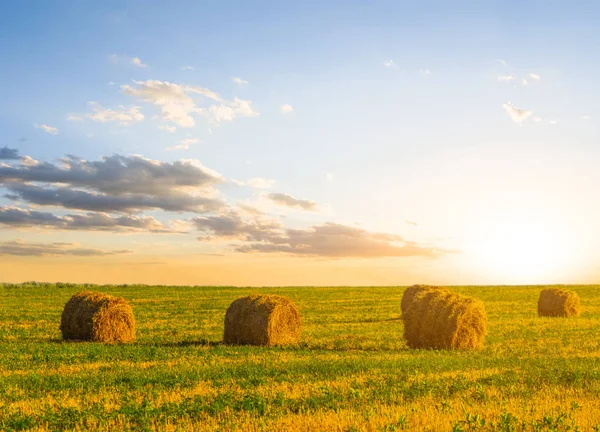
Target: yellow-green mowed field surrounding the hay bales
x: 351, y: 372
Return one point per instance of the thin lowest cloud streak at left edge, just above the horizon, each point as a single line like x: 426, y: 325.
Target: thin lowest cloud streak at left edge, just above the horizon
x: 20, y: 248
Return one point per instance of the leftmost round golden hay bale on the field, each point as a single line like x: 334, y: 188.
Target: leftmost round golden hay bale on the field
x: 98, y: 317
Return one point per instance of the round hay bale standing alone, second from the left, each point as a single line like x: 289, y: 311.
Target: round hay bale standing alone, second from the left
x: 262, y: 320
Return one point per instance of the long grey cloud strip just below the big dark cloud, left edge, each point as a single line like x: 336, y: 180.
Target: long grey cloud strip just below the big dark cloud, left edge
x: 16, y: 217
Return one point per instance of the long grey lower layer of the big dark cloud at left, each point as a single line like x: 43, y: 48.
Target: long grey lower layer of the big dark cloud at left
x: 126, y: 203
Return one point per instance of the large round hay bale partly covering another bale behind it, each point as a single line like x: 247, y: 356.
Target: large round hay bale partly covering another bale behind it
x: 440, y: 319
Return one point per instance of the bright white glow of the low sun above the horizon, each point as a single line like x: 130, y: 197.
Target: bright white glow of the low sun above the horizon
x: 523, y: 247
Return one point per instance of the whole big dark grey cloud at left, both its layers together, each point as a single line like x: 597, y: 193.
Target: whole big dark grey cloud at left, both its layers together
x: 114, y: 184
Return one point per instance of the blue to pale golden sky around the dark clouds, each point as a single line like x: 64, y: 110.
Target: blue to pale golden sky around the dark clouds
x: 447, y: 115
